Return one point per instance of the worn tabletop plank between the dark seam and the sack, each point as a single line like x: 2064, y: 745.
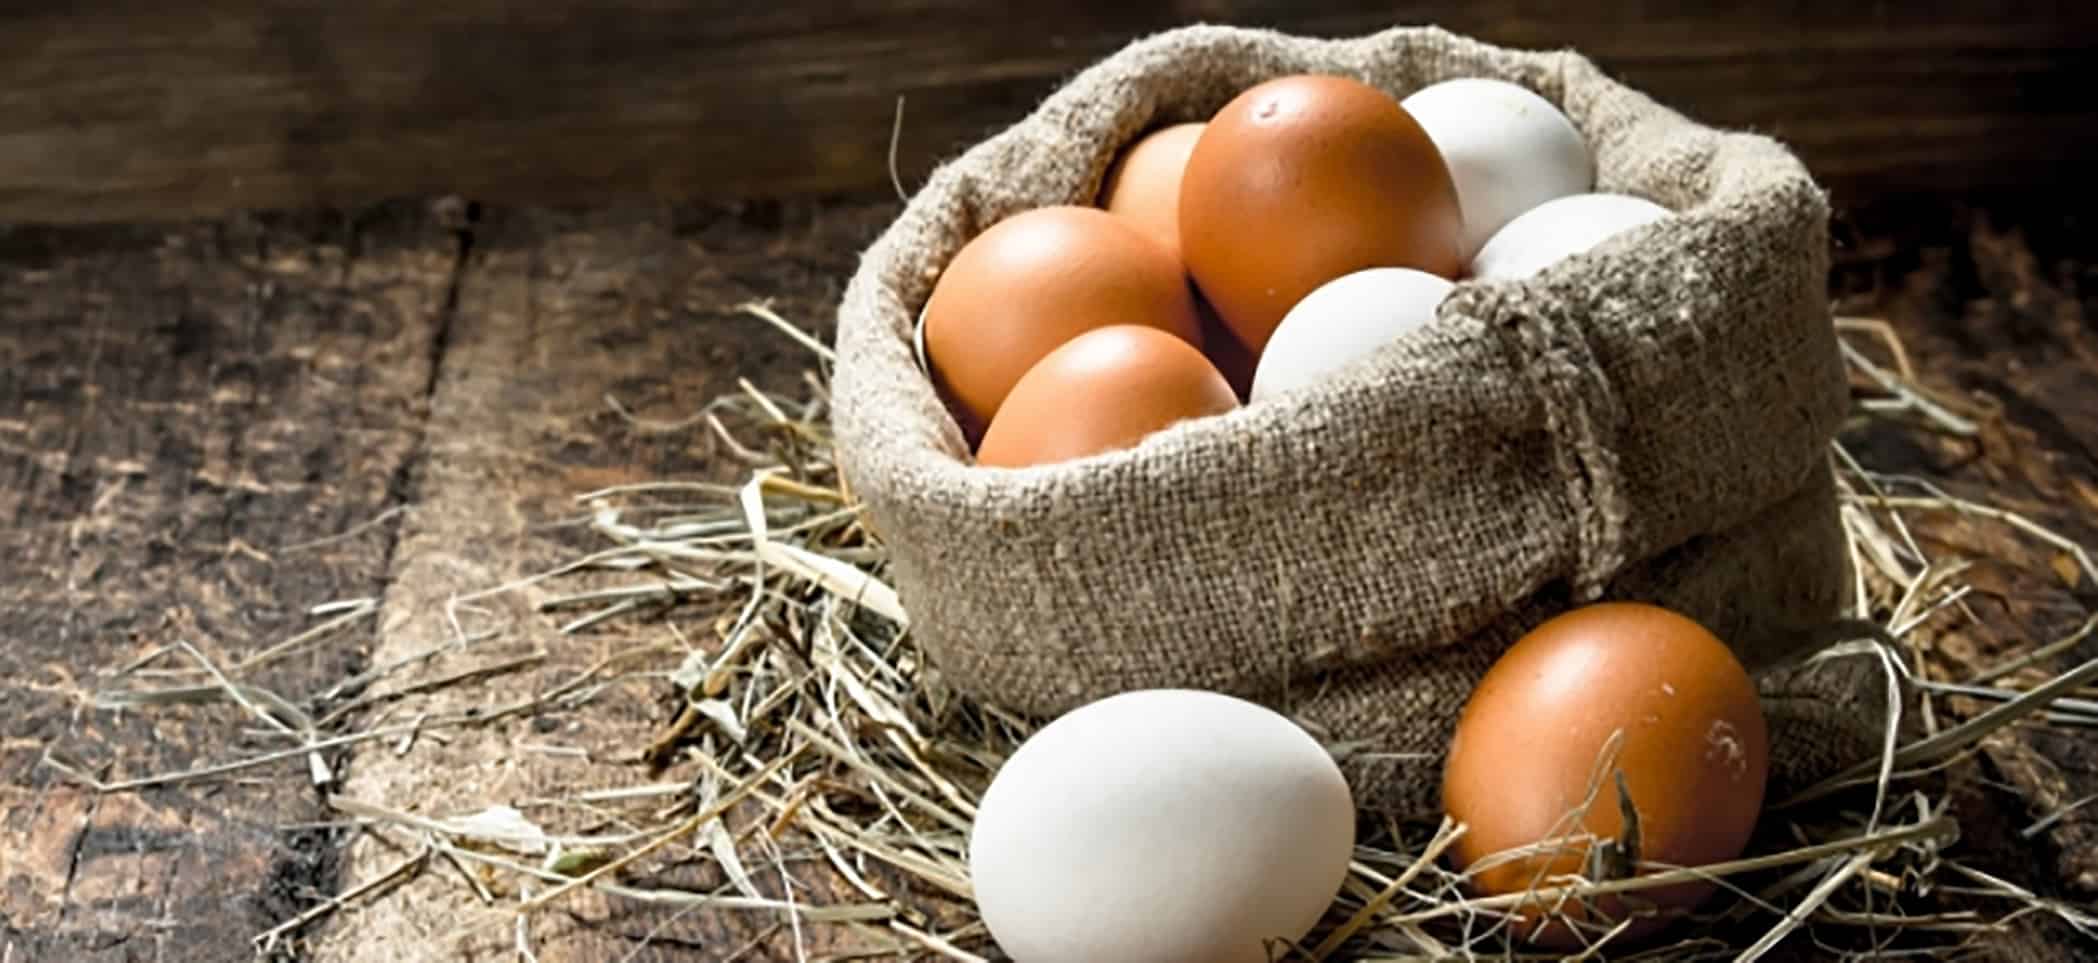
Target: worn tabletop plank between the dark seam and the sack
x: 555, y: 318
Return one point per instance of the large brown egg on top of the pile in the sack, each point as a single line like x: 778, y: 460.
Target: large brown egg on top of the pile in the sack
x: 1304, y: 179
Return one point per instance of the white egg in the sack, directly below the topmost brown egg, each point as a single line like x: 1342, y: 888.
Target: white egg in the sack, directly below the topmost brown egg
x: 1342, y: 322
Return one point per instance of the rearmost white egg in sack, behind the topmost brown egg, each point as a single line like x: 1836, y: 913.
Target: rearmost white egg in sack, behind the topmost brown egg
x: 1507, y: 150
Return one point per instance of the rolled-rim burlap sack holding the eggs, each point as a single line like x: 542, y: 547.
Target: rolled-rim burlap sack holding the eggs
x: 1648, y: 421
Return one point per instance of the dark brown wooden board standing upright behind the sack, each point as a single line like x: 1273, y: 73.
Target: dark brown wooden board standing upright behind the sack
x: 142, y: 110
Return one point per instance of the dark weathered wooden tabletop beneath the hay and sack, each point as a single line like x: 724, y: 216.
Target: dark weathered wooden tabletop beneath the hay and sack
x: 211, y: 429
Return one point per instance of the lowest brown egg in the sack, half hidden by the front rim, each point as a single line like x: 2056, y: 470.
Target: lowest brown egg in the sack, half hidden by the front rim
x: 1102, y: 391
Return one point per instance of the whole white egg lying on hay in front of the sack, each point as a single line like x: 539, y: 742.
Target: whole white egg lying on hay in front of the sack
x: 1161, y: 828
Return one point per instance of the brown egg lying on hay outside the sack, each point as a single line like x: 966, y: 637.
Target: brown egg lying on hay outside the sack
x: 1694, y: 756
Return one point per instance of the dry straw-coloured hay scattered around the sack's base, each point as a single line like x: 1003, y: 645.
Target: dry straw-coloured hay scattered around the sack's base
x: 821, y: 737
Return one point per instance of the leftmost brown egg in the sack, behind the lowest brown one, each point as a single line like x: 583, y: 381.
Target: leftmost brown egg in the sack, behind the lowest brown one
x: 1035, y: 282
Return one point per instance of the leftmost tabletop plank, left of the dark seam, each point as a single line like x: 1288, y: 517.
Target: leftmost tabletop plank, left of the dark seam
x: 184, y: 414
